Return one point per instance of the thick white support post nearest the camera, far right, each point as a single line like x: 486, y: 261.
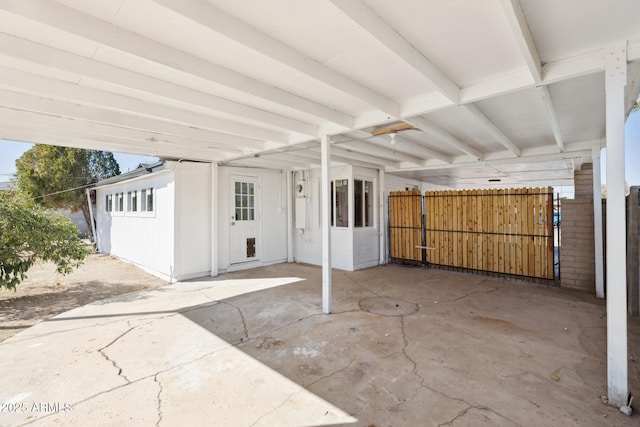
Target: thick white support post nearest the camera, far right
x: 615, y: 82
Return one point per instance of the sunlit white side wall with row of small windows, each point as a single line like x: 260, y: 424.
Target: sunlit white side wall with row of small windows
x: 144, y: 239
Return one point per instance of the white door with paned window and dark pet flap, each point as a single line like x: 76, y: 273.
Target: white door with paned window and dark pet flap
x: 244, y: 234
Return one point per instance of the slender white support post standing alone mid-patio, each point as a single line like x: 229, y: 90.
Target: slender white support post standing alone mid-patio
x: 326, y: 223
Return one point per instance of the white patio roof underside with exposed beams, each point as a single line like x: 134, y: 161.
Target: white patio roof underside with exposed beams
x: 494, y: 89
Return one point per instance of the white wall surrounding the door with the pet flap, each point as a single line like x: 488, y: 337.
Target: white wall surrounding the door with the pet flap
x: 272, y: 215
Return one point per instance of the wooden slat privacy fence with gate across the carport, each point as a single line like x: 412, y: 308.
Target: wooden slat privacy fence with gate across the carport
x: 506, y: 231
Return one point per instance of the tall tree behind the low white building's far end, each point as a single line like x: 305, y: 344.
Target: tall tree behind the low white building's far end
x: 56, y: 177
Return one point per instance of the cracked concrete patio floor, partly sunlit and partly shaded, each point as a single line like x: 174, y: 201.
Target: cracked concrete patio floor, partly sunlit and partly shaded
x: 405, y: 347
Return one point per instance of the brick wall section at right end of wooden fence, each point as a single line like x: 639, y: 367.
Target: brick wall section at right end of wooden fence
x: 577, y: 254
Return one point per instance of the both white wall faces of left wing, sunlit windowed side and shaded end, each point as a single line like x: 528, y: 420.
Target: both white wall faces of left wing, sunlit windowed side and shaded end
x: 172, y: 242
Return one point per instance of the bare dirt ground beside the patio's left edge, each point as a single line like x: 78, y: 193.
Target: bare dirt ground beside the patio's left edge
x: 45, y: 293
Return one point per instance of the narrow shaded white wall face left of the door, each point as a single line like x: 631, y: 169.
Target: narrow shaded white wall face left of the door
x: 193, y: 220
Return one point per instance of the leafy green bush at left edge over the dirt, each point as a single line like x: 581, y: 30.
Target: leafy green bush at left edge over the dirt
x: 29, y: 233
